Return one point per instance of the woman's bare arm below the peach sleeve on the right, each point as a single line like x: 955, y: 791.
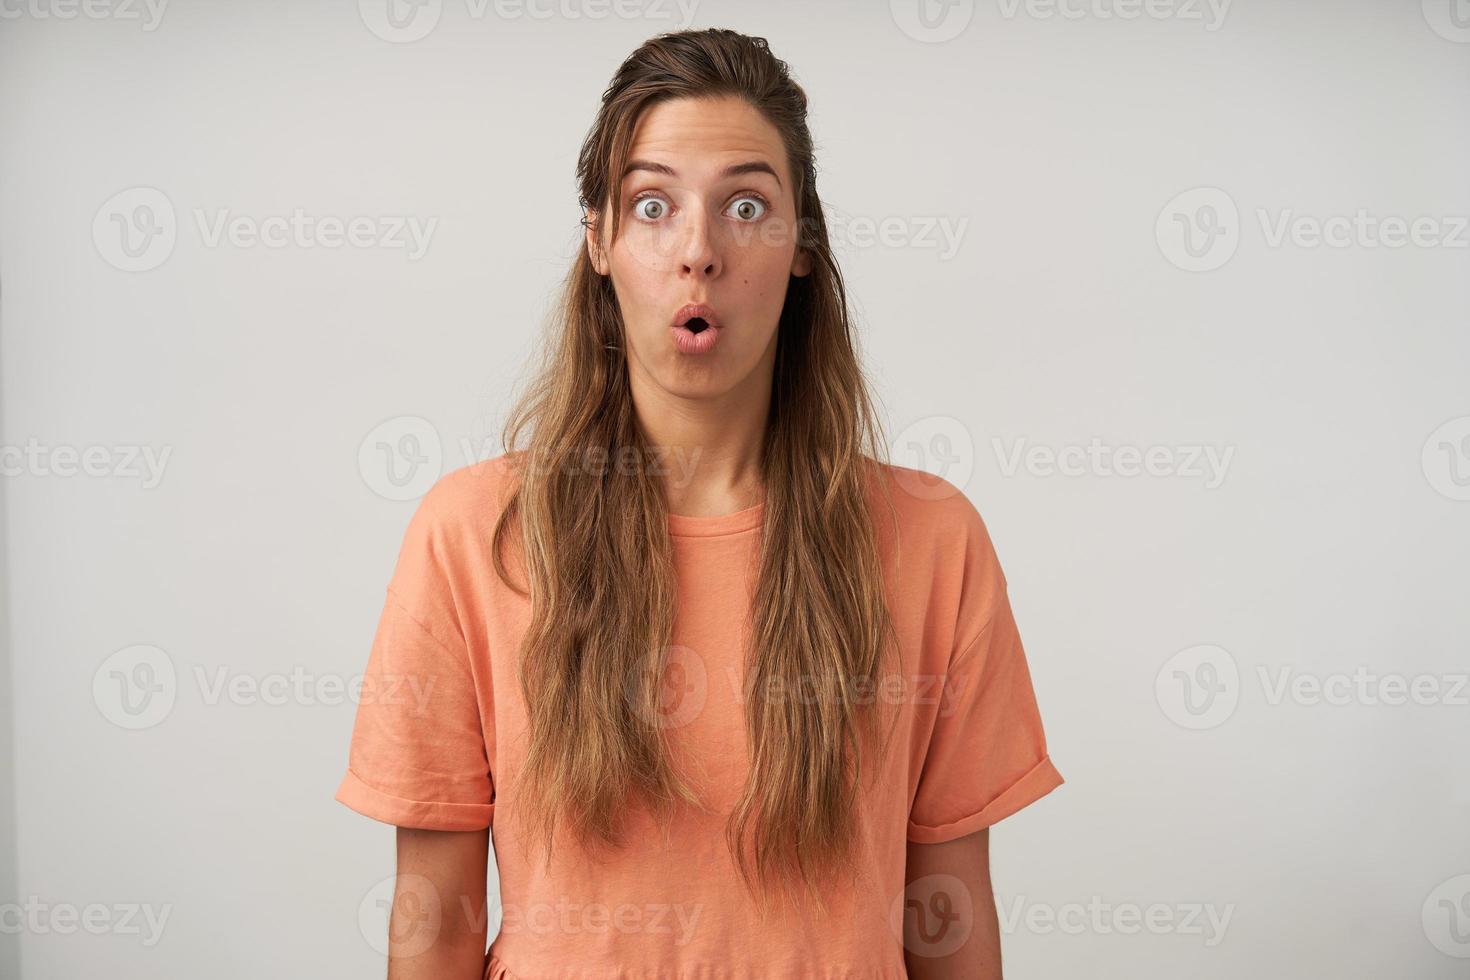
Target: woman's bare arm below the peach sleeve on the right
x: 964, y: 863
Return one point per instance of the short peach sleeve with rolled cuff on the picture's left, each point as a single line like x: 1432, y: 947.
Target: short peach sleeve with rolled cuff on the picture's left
x: 418, y: 754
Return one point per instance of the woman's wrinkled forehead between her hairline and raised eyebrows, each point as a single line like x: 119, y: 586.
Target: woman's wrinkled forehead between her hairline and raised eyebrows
x: 700, y: 136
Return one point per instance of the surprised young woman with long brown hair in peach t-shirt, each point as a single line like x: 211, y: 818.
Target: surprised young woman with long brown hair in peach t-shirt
x: 720, y: 680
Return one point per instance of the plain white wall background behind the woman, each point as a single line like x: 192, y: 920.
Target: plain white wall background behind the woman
x: 1333, y: 831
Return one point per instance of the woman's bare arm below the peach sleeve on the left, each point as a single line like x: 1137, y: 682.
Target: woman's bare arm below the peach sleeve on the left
x: 439, y: 926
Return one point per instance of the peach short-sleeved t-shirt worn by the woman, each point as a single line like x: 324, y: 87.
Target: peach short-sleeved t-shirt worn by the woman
x: 442, y: 732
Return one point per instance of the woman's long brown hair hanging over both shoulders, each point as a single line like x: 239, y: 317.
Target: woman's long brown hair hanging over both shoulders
x: 598, y: 550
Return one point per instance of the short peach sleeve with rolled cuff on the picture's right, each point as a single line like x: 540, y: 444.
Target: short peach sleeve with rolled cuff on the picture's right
x: 987, y: 754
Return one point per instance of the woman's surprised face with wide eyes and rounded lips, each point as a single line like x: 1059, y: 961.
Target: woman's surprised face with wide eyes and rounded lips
x: 709, y: 218
